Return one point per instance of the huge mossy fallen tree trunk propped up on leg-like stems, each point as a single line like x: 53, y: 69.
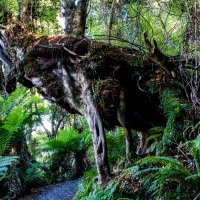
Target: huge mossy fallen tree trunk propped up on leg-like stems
x: 106, y: 84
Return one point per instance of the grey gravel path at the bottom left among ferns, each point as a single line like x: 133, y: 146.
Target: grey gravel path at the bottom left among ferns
x: 61, y: 191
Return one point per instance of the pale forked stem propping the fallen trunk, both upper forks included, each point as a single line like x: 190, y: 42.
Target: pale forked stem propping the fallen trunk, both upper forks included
x: 89, y: 110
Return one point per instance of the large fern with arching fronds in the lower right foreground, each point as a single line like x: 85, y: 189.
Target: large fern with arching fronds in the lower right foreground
x: 170, y: 170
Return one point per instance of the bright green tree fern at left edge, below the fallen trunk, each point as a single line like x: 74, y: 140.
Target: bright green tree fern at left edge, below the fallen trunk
x: 14, y: 115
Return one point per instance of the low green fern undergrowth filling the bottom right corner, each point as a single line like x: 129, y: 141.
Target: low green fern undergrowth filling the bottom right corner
x: 167, y: 178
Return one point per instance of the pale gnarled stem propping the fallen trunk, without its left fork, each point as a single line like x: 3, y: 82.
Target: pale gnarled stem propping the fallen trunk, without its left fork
x: 95, y: 123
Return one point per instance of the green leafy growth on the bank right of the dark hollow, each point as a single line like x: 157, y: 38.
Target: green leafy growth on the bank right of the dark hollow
x: 176, y: 111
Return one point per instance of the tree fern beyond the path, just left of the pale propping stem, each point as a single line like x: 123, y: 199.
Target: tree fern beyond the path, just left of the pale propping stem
x: 69, y: 152
